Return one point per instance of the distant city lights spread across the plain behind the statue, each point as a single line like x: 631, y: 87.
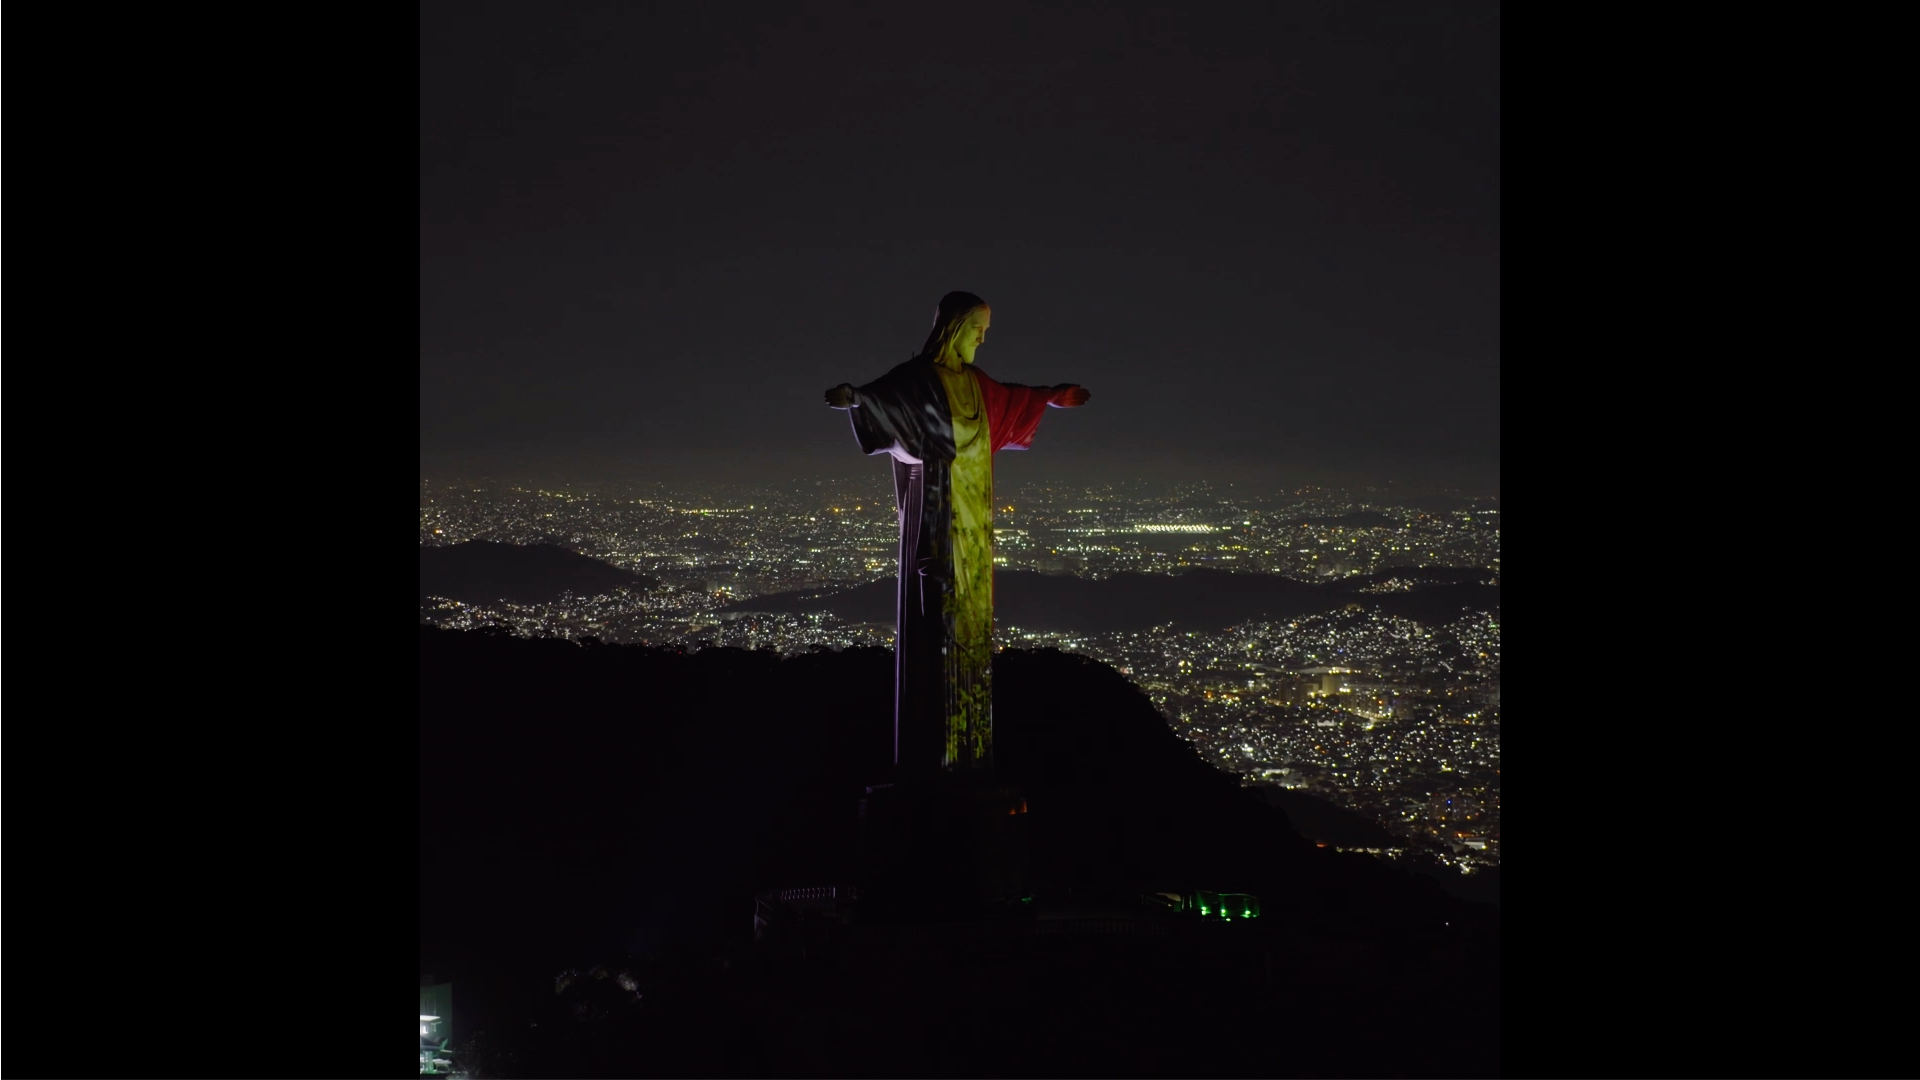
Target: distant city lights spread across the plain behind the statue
x: 1391, y: 718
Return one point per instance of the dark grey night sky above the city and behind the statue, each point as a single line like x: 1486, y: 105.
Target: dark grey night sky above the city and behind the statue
x: 1266, y: 243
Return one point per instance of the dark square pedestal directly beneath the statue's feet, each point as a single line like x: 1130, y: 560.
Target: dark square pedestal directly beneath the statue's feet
x: 942, y: 850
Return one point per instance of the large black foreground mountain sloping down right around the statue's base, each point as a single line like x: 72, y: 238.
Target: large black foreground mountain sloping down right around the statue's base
x: 623, y: 802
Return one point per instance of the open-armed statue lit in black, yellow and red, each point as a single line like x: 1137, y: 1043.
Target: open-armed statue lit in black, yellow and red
x: 942, y: 420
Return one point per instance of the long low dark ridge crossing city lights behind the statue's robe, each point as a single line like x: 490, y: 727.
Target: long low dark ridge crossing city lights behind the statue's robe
x: 1134, y: 602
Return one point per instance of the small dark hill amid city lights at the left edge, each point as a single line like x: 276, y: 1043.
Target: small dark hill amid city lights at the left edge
x: 483, y: 572
